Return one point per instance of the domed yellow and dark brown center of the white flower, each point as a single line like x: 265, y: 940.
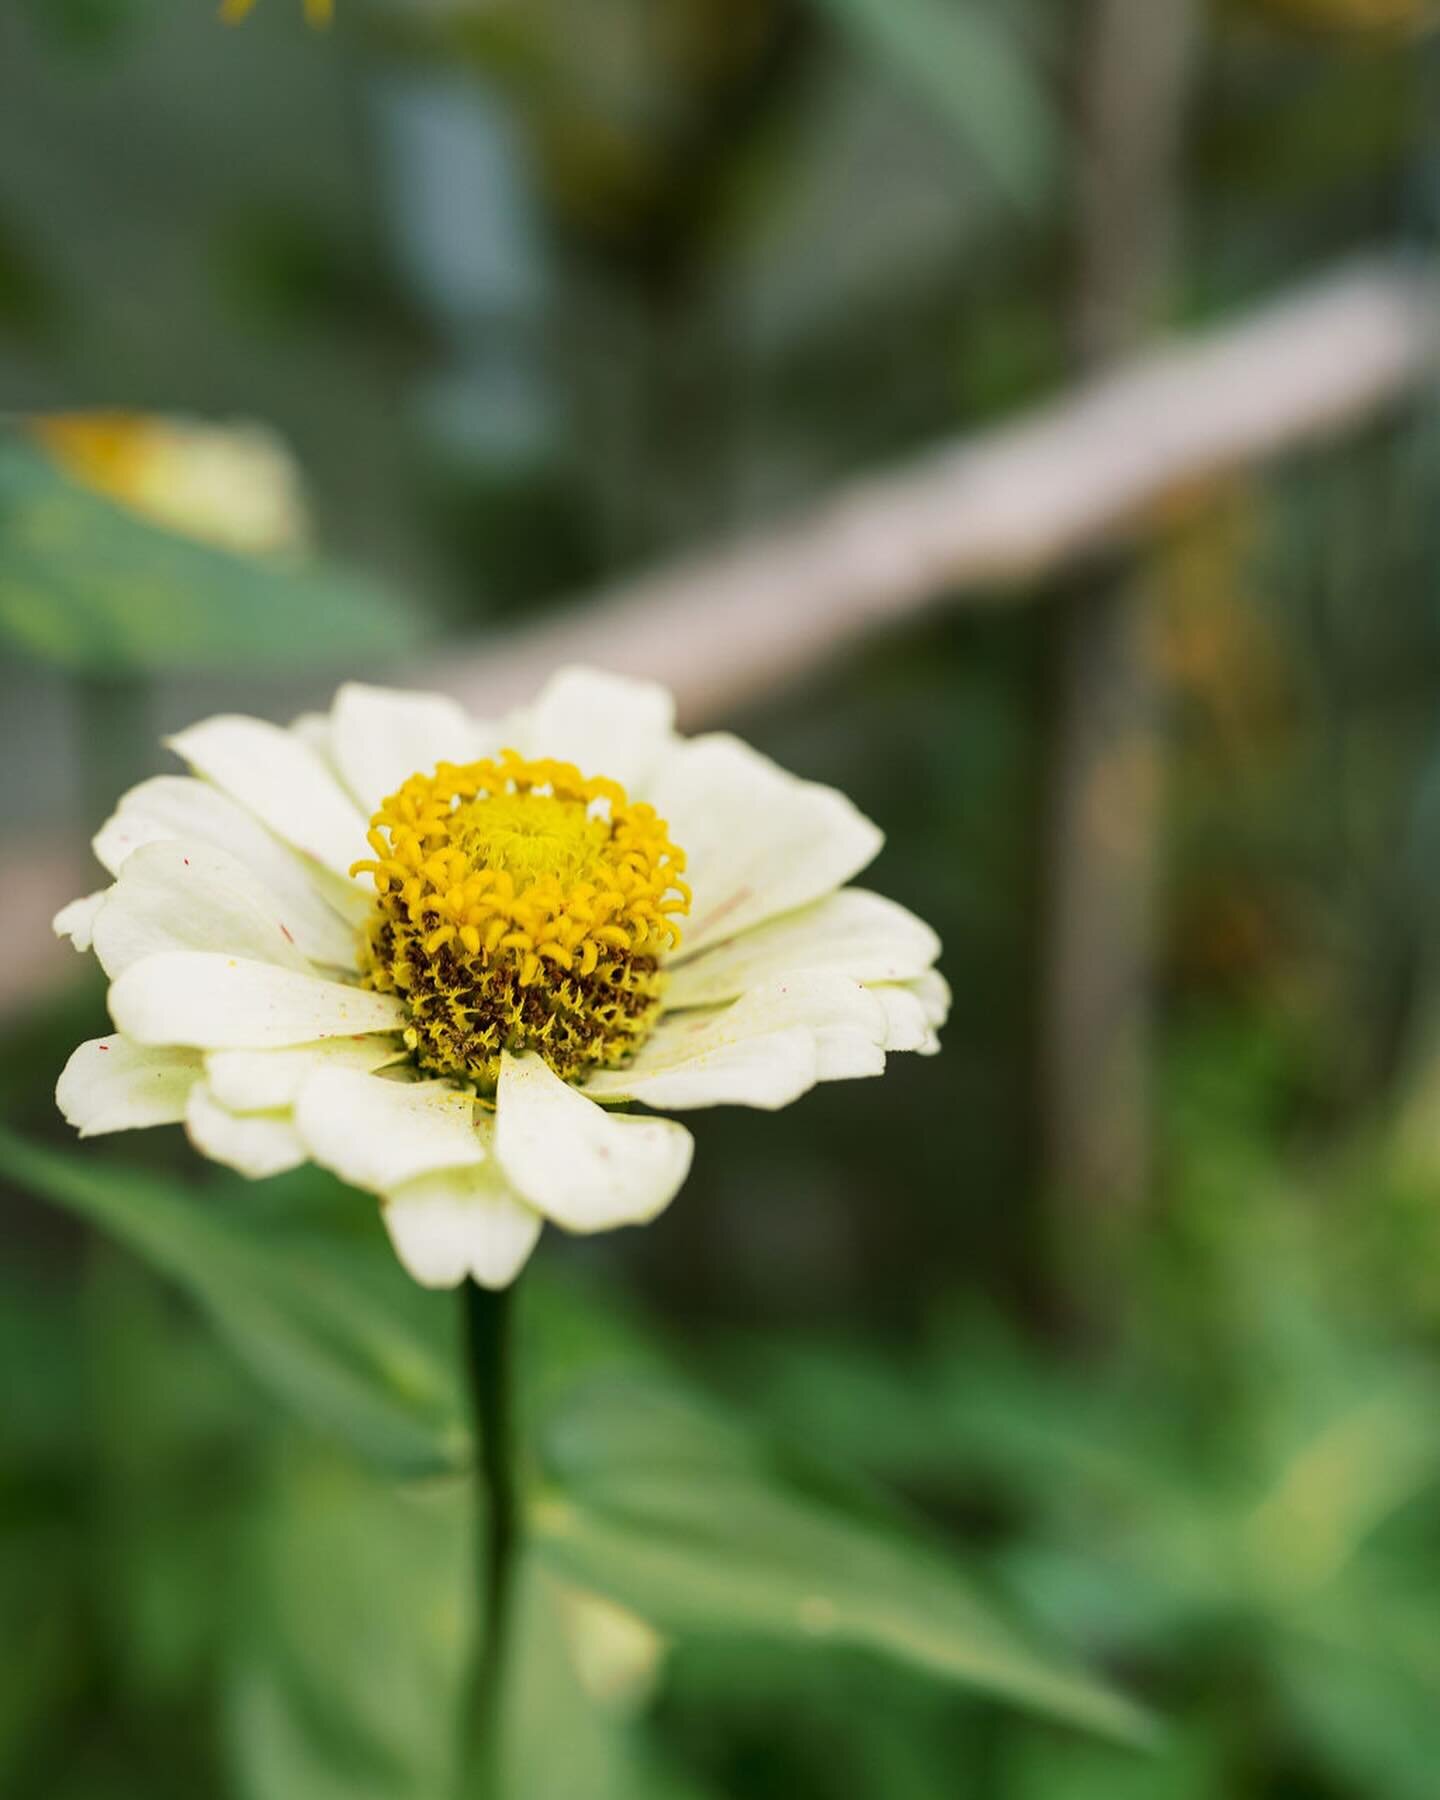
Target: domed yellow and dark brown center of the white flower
x: 521, y: 906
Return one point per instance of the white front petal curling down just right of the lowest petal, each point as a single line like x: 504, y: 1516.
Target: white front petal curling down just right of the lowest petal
x: 579, y: 1165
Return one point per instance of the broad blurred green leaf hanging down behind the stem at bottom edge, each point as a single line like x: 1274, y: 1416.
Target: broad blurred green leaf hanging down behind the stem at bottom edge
x: 348, y: 1675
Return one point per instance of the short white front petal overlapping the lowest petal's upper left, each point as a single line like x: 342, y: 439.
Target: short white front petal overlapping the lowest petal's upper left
x: 377, y: 1135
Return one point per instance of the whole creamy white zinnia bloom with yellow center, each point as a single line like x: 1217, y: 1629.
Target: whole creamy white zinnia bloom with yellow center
x: 444, y: 996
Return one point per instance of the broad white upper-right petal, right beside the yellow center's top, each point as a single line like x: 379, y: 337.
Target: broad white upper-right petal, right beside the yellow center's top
x: 759, y: 841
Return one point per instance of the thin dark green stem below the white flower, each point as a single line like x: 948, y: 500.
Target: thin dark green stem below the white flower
x: 490, y: 1371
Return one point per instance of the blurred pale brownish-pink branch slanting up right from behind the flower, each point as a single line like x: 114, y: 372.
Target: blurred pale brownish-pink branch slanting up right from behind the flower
x: 984, y: 519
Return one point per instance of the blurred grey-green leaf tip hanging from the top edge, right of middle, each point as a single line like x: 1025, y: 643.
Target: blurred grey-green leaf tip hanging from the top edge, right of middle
x: 975, y: 73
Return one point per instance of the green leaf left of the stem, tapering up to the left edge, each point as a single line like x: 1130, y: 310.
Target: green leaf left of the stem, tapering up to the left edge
x: 310, y: 1297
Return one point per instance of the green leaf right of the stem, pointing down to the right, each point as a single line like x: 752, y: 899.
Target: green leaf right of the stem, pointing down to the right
x: 683, y: 1518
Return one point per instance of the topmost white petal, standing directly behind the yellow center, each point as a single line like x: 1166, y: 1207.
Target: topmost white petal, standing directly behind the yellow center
x: 604, y: 724
